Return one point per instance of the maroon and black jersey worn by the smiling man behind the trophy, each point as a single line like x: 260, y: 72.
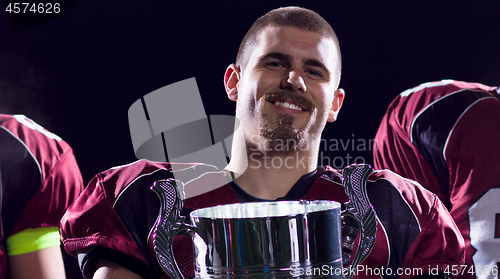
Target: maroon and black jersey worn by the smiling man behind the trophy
x: 113, y: 219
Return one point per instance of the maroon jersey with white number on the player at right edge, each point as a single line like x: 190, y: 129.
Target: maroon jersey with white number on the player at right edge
x: 446, y: 135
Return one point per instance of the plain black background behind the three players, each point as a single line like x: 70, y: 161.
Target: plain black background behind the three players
x: 78, y: 74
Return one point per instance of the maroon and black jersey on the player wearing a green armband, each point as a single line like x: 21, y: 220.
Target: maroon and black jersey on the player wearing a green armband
x: 39, y: 178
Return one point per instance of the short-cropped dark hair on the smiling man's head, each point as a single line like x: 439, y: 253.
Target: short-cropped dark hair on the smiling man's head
x: 297, y: 17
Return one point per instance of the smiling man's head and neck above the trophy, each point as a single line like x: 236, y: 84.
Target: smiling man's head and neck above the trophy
x: 285, y: 85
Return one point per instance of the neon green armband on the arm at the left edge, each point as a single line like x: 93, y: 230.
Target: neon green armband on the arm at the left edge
x: 31, y: 240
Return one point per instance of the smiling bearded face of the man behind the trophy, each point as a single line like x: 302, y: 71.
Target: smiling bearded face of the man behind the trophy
x: 288, y: 86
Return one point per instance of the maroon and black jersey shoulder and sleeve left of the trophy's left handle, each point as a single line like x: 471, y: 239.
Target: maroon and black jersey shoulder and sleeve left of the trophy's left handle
x: 114, y: 218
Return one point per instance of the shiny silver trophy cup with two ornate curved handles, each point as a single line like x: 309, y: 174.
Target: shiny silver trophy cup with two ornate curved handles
x: 281, y: 239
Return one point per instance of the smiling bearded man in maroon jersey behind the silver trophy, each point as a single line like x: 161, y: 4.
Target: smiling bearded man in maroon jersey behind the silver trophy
x: 285, y: 85
